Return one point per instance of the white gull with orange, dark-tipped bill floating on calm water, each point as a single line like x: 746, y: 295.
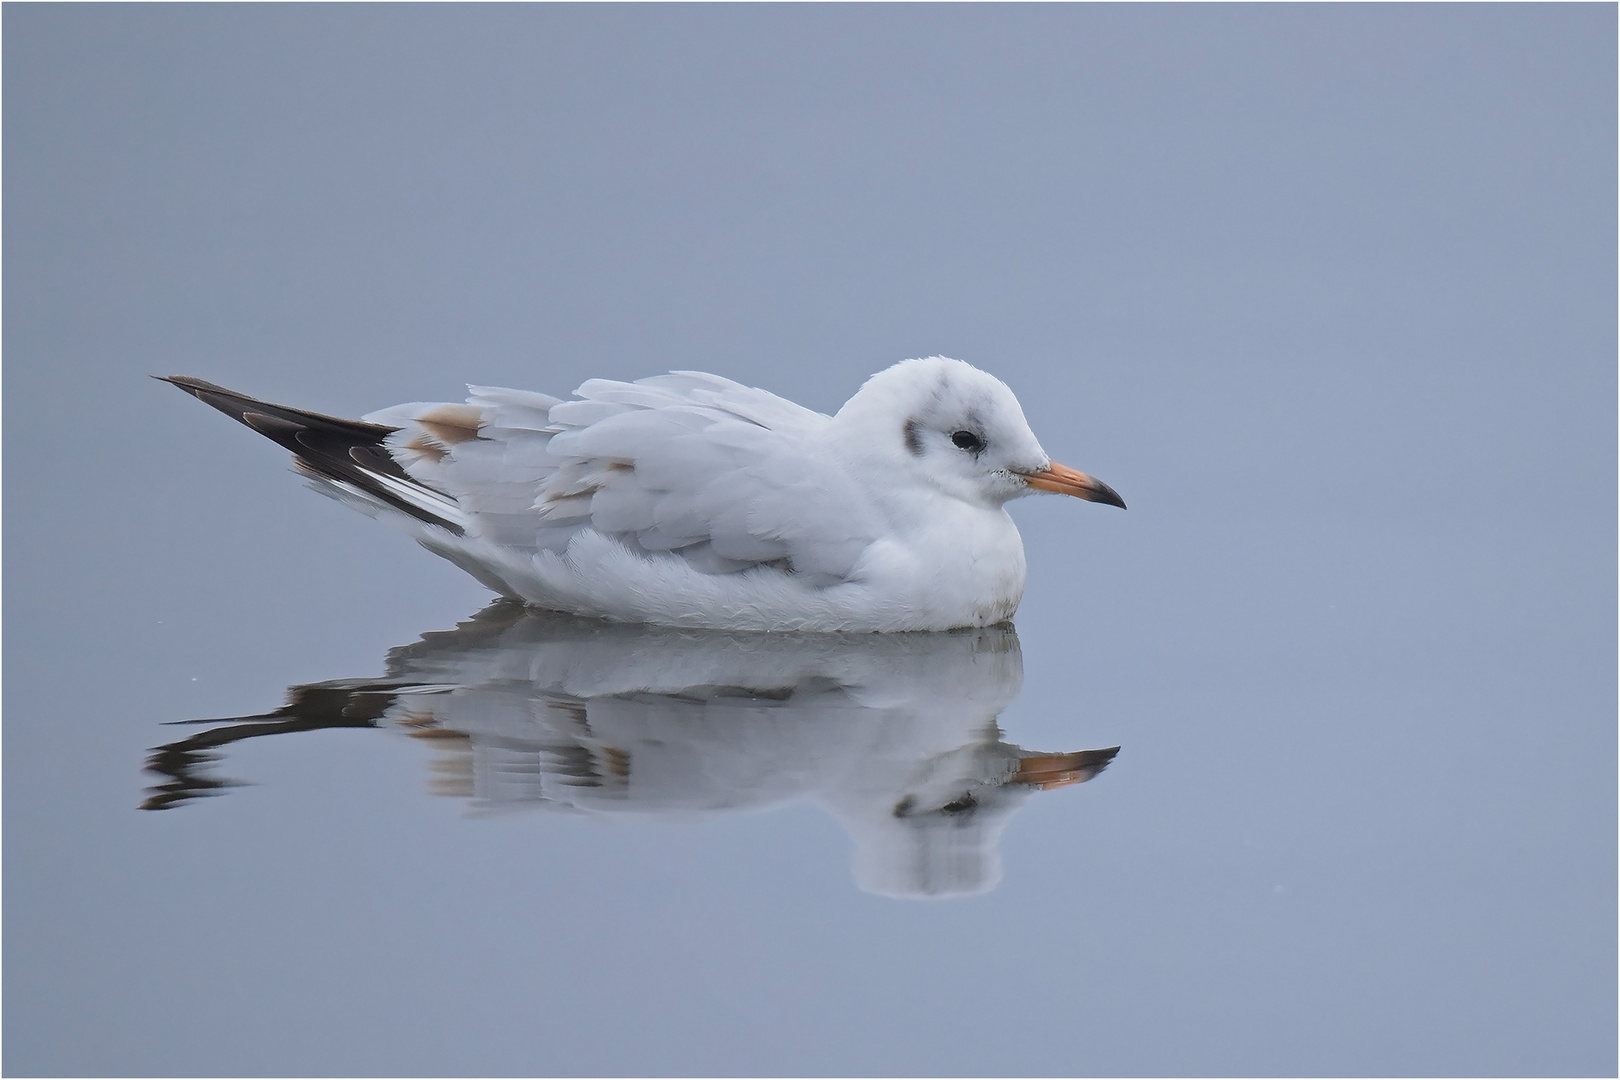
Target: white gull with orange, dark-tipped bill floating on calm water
x: 694, y: 501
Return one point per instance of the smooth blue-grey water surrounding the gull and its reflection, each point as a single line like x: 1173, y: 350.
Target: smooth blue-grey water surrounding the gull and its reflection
x: 1326, y: 292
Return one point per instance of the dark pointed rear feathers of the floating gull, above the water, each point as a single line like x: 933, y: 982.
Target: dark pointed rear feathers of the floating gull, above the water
x: 347, y: 453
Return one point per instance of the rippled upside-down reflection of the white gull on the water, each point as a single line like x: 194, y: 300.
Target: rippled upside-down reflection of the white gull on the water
x: 895, y: 734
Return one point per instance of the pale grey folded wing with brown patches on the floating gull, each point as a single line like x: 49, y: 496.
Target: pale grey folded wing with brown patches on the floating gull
x: 702, y: 469
